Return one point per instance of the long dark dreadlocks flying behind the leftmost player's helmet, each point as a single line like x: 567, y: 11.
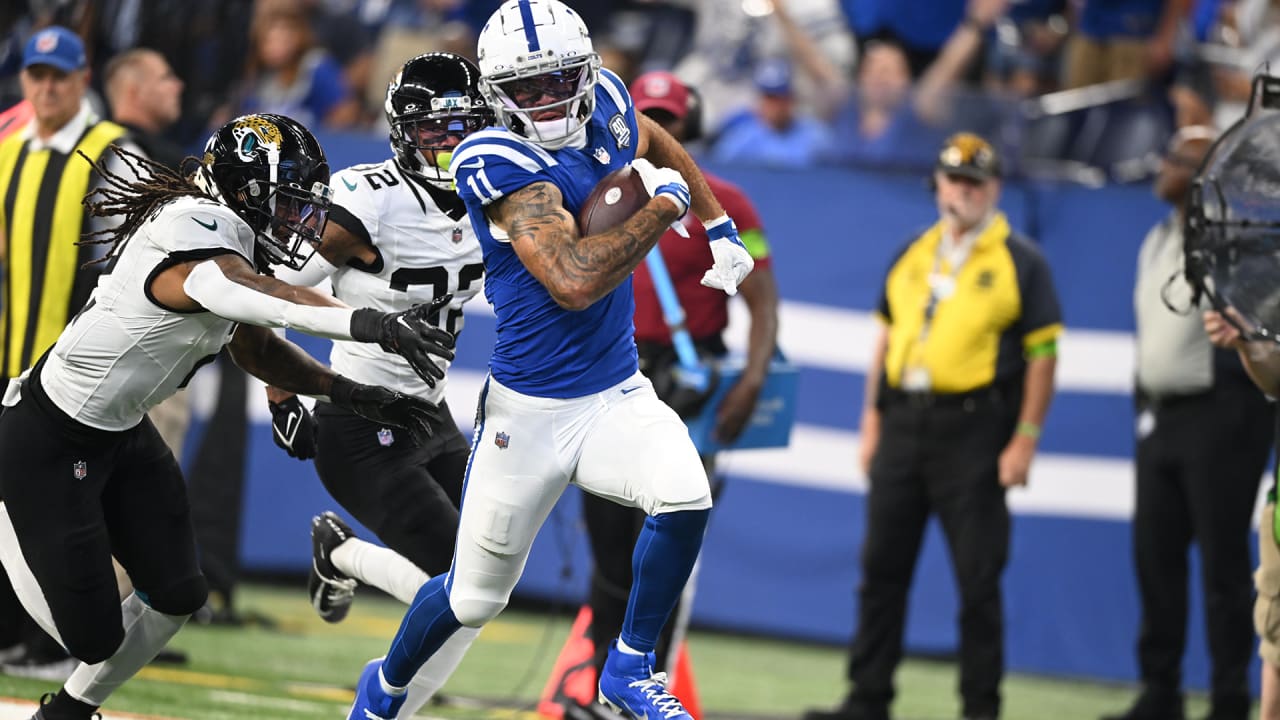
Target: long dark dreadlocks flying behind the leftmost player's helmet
x: 136, y: 200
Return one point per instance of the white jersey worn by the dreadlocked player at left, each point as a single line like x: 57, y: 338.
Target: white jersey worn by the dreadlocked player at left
x: 124, y: 353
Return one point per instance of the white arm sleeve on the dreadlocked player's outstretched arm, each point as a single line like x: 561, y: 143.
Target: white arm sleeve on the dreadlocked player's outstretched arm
x: 228, y: 299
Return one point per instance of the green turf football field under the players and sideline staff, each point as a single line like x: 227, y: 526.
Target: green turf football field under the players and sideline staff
x: 304, y: 669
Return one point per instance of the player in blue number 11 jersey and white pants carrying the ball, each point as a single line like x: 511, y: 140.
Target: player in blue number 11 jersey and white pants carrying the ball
x: 565, y: 402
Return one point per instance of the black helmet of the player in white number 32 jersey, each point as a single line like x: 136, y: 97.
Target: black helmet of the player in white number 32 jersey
x: 432, y: 104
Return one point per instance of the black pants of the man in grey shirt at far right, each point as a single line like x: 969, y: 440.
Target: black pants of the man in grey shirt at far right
x: 1199, y: 473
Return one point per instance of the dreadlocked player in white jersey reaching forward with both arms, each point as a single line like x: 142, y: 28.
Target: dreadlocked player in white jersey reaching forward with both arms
x: 85, y: 475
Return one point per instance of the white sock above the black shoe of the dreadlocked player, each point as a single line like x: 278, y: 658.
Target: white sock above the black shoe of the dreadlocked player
x: 147, y: 631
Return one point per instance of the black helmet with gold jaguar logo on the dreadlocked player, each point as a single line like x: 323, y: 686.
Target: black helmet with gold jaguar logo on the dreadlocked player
x: 273, y: 174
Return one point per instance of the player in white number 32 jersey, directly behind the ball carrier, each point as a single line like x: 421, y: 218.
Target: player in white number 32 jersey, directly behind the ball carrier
x: 397, y: 236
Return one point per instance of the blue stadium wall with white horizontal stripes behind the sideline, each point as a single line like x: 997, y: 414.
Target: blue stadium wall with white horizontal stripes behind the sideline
x: 781, y: 554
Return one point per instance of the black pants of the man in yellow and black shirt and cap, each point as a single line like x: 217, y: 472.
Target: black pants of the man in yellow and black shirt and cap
x: 935, y: 461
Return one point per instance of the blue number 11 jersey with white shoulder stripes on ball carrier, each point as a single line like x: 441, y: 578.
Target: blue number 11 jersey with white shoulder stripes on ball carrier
x: 543, y: 349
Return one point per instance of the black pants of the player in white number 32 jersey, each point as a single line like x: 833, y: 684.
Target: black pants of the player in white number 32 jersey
x: 408, y: 495
